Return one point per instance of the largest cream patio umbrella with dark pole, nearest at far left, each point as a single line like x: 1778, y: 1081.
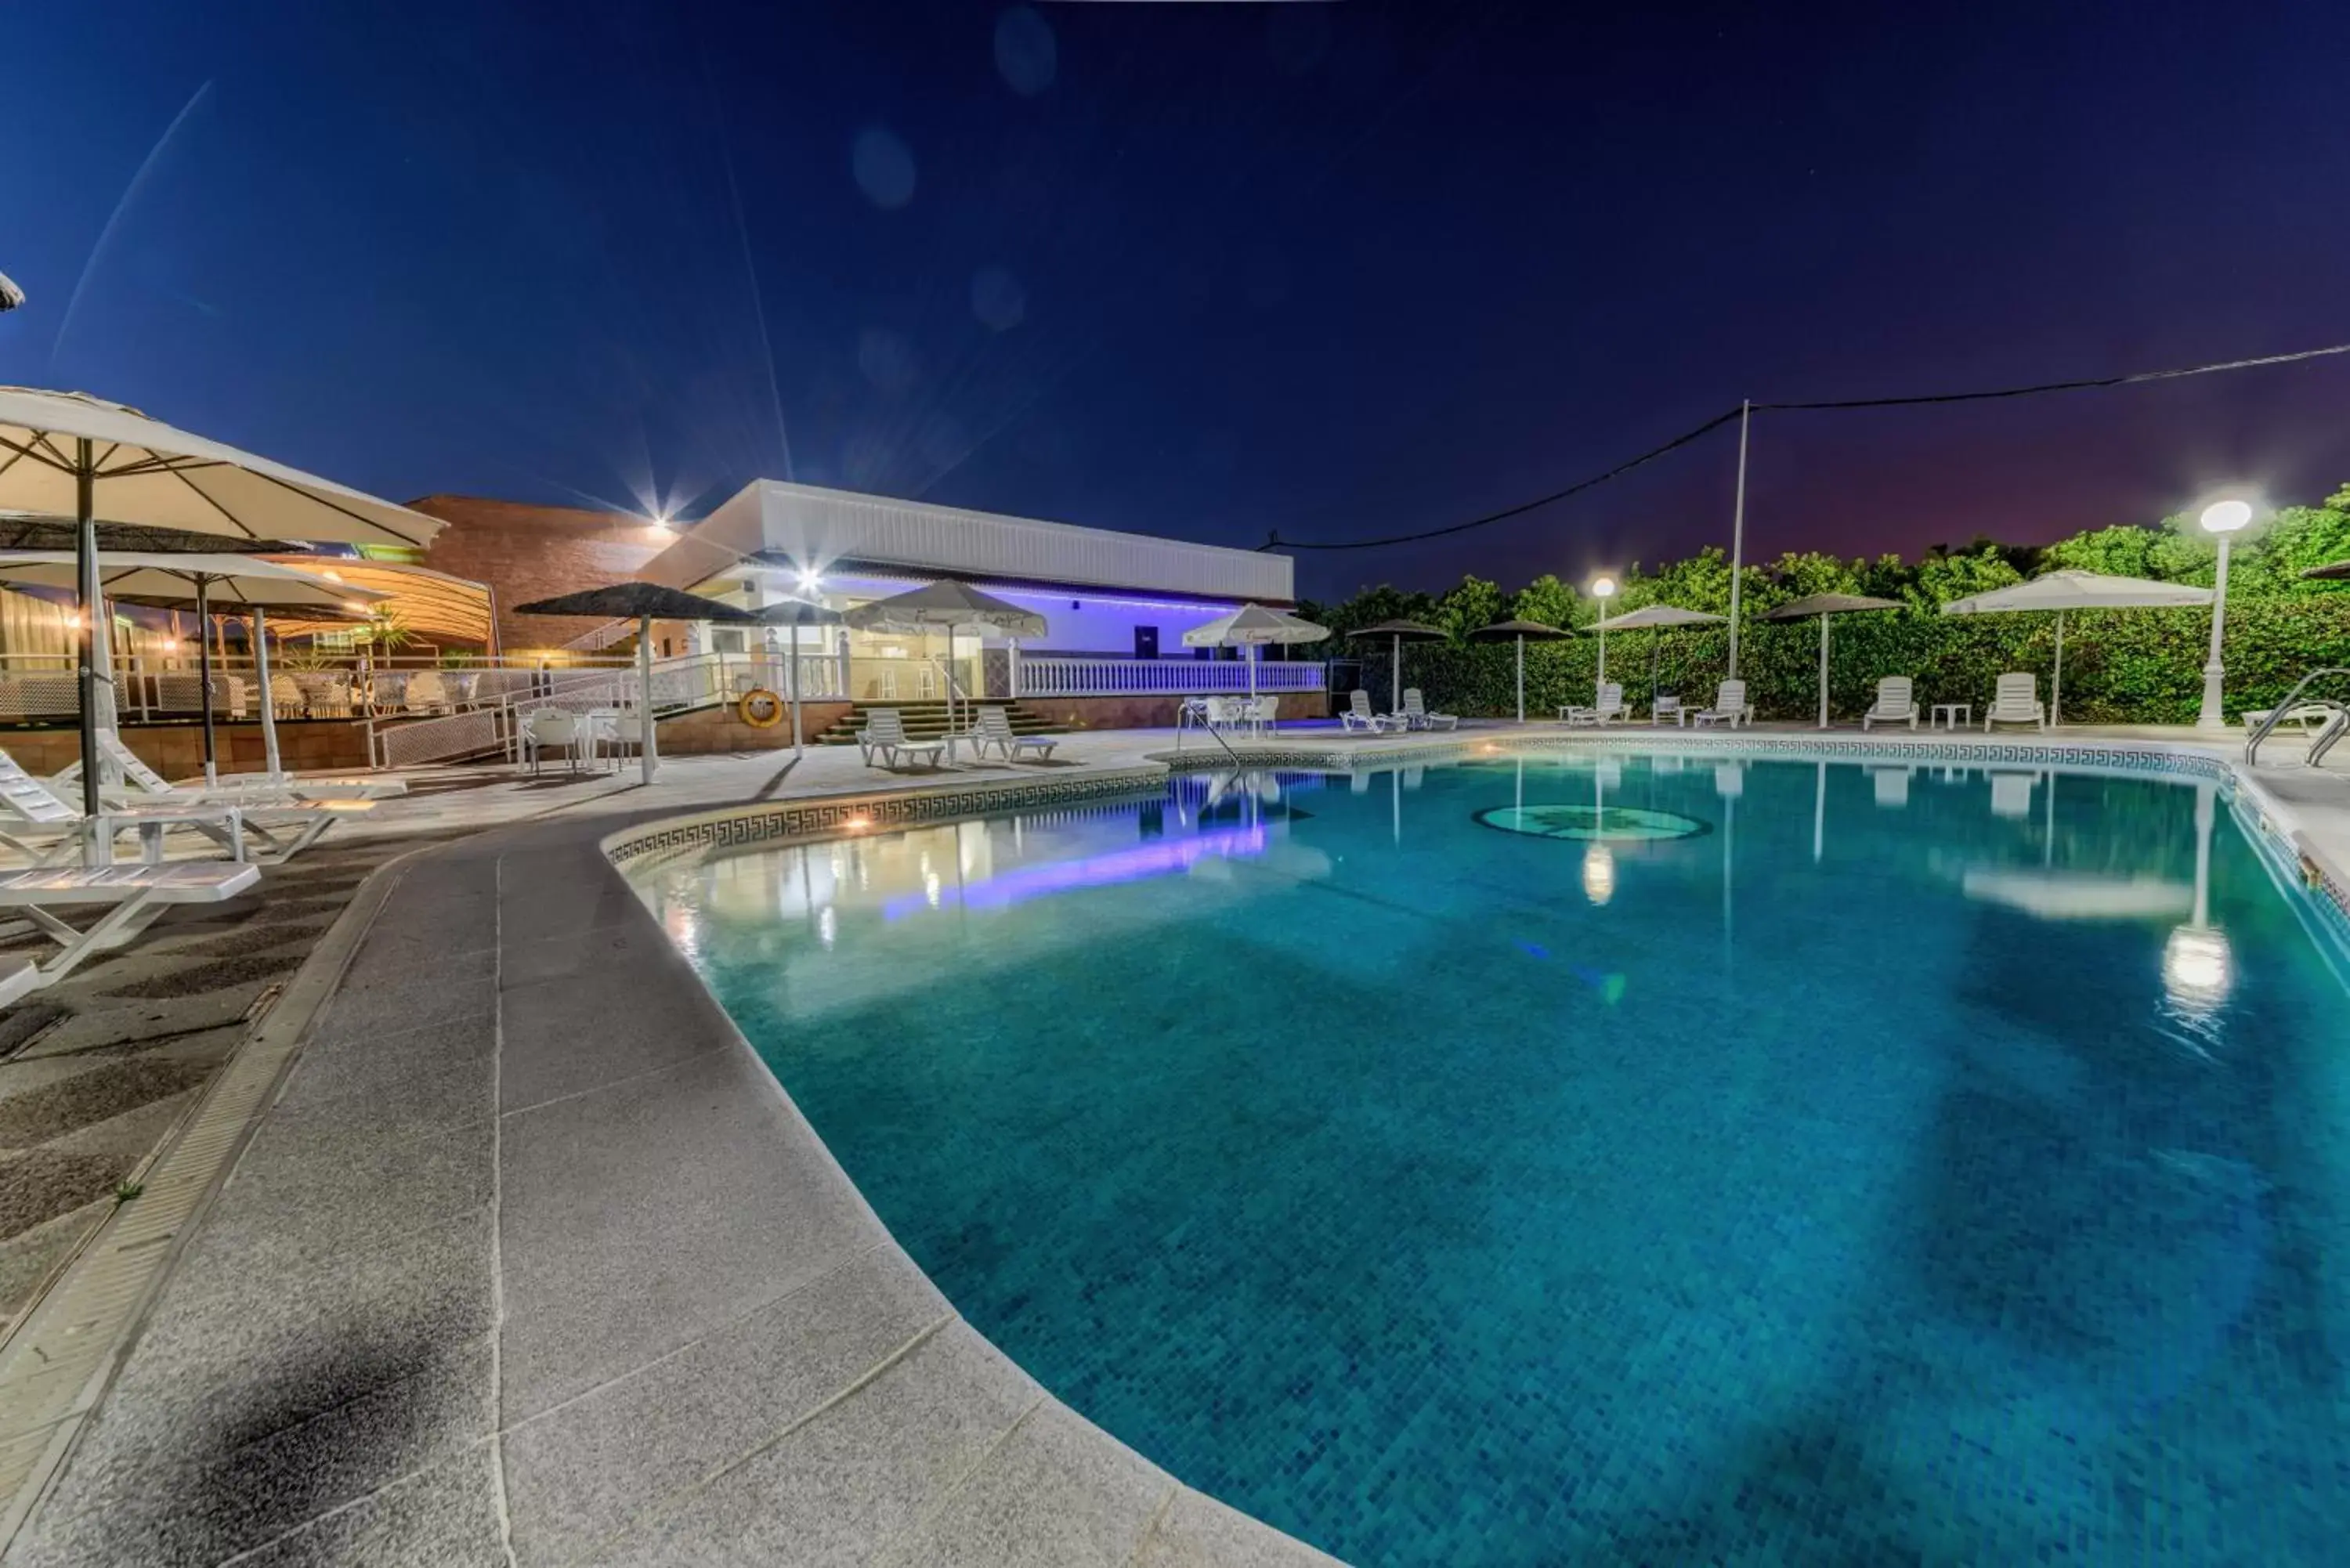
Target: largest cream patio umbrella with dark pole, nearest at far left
x: 74, y: 455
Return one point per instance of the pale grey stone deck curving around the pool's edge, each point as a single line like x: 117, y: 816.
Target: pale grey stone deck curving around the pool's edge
x: 497, y: 1245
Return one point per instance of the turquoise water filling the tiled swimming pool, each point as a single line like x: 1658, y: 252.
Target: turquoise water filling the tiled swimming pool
x: 1623, y: 1160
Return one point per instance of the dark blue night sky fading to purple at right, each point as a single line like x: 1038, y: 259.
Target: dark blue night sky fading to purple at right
x: 1204, y: 269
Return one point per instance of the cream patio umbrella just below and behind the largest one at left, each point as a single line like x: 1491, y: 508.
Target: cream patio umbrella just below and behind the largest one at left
x: 203, y: 584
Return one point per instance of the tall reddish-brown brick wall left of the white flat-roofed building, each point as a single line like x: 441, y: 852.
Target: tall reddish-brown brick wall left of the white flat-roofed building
x: 535, y: 554
